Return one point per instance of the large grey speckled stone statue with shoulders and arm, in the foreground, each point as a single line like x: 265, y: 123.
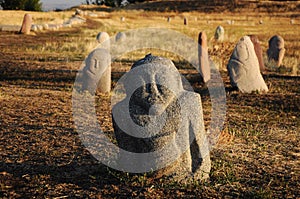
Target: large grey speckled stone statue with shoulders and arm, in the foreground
x: 163, y: 96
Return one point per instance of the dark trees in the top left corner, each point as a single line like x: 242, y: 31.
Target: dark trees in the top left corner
x: 29, y: 5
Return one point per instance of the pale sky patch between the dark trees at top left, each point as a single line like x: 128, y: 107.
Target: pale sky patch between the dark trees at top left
x: 61, y: 4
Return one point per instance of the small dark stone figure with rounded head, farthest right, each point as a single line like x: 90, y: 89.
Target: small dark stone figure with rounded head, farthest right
x: 276, y: 49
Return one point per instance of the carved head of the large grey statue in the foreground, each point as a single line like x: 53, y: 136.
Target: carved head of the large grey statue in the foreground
x: 158, y: 85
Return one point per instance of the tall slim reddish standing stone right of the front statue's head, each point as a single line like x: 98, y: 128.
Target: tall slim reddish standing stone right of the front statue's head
x: 203, y: 57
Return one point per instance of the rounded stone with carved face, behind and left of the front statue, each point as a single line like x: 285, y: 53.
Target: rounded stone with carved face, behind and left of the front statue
x: 97, y: 69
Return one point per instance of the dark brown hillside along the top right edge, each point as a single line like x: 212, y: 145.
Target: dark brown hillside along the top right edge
x: 217, y: 5
